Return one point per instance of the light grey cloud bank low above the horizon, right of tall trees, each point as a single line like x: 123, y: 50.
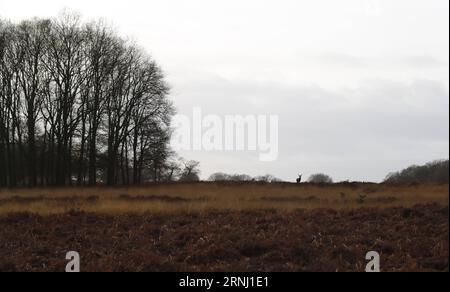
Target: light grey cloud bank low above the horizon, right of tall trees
x: 379, y: 126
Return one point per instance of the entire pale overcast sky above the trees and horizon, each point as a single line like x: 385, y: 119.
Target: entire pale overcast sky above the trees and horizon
x: 361, y: 87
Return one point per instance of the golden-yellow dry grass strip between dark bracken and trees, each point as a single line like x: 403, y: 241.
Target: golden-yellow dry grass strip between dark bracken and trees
x: 201, y: 197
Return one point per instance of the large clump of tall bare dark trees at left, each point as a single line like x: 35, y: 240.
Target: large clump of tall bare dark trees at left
x: 80, y: 105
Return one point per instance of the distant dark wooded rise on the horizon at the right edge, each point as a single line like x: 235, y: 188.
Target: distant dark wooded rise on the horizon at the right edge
x: 433, y: 172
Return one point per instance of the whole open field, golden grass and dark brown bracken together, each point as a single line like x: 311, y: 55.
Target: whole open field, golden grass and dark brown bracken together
x: 237, y: 227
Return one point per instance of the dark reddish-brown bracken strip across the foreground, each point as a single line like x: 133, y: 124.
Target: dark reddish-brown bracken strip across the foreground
x: 415, y: 239
